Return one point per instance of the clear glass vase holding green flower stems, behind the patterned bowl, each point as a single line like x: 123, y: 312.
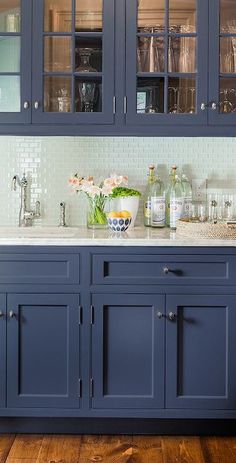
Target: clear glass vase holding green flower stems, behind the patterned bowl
x: 96, y: 215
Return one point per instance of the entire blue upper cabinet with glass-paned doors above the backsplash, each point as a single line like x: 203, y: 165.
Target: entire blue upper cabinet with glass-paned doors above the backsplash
x: 123, y: 67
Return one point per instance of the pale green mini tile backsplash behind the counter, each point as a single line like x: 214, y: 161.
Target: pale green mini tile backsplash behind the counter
x: 50, y: 161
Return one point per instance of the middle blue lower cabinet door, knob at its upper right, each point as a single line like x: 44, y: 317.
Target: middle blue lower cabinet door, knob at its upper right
x: 128, y: 351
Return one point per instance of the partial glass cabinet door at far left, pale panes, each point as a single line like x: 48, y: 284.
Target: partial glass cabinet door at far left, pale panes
x: 15, y: 55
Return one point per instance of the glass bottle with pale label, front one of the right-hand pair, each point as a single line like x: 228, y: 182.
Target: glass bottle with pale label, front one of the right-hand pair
x: 175, y: 200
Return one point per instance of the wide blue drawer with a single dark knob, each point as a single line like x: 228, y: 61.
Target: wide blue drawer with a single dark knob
x: 165, y: 269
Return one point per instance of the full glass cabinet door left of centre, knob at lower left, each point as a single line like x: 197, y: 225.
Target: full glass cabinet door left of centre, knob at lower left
x: 73, y: 61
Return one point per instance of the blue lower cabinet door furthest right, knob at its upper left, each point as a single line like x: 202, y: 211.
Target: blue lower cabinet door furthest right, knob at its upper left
x: 200, y: 352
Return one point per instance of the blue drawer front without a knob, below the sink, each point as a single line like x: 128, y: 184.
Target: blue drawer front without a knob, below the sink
x: 39, y: 268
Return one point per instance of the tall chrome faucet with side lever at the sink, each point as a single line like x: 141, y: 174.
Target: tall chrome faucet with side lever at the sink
x: 25, y: 217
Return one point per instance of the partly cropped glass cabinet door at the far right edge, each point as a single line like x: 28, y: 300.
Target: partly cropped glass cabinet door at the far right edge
x: 223, y: 62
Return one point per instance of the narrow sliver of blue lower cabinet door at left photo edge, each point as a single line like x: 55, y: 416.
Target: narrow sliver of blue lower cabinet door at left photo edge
x: 3, y: 340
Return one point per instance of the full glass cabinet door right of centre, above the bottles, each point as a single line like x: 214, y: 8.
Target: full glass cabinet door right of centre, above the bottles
x: 166, y: 69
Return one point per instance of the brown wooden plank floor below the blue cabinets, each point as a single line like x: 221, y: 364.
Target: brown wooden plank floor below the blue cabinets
x: 116, y: 449
